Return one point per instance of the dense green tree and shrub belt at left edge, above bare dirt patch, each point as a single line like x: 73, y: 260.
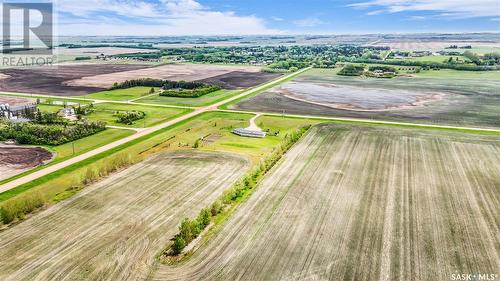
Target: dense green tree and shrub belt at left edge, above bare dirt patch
x: 48, y: 134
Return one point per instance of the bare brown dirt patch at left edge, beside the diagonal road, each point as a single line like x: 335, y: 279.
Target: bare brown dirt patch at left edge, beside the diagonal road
x: 15, y: 159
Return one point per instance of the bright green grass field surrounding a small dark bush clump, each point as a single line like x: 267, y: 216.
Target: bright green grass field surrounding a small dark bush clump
x: 154, y: 114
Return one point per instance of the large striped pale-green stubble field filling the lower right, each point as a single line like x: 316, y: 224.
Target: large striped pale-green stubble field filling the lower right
x: 363, y: 204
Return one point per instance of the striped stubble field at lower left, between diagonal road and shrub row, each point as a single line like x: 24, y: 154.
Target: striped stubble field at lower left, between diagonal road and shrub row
x: 113, y: 230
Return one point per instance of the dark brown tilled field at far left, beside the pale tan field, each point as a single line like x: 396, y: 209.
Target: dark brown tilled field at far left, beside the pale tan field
x: 50, y: 80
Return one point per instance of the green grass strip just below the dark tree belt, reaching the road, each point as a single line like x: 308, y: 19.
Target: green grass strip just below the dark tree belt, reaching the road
x: 200, y: 101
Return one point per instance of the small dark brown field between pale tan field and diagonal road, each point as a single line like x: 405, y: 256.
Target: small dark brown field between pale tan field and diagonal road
x: 240, y: 80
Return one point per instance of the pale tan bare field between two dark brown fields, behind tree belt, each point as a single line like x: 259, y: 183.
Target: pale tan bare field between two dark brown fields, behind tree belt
x: 187, y: 72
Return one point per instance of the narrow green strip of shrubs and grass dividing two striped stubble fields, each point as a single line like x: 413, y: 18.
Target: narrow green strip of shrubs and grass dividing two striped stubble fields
x: 220, y: 208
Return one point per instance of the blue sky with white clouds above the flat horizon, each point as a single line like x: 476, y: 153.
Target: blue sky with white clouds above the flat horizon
x: 263, y: 17
